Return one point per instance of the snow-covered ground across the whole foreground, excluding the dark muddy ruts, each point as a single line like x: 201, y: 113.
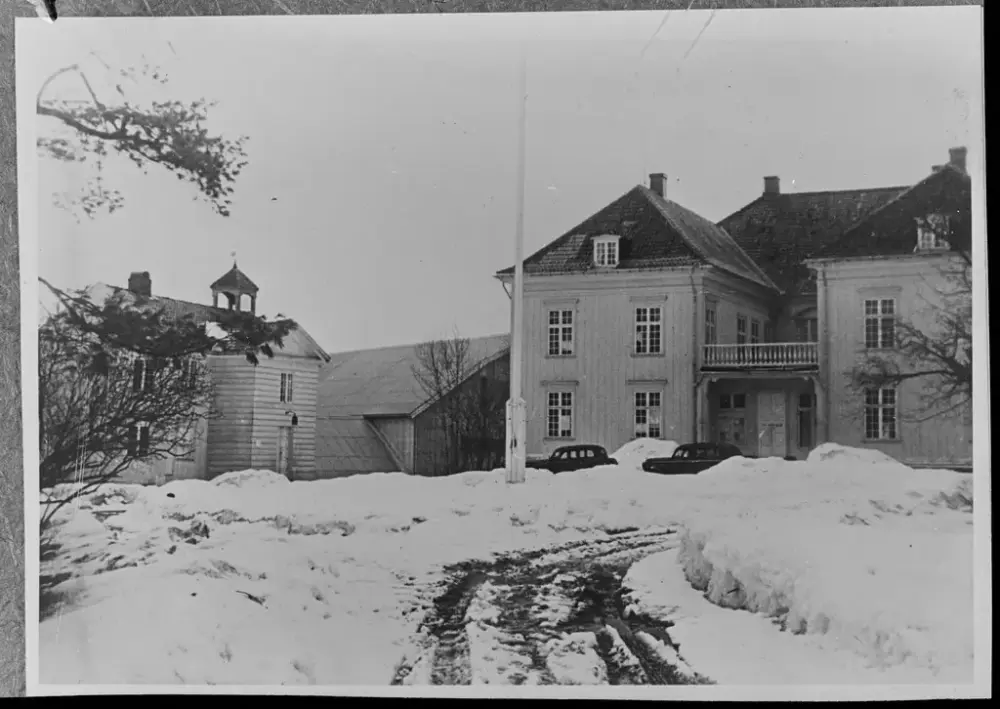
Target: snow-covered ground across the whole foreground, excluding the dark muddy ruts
x: 845, y: 568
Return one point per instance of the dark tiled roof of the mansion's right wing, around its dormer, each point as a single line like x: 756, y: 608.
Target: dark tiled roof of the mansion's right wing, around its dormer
x: 890, y: 230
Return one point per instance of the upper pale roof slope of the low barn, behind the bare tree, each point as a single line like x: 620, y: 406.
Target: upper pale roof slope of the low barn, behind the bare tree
x: 380, y: 382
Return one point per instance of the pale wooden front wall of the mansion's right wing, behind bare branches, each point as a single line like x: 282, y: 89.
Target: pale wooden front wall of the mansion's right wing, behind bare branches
x: 912, y: 281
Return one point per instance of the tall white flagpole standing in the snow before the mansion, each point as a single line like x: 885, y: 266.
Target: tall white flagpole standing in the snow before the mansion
x: 516, y: 409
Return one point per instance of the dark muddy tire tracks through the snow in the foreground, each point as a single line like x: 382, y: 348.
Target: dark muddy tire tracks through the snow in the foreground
x: 548, y: 616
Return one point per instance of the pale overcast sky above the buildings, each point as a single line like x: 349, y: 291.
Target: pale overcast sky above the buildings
x: 389, y: 143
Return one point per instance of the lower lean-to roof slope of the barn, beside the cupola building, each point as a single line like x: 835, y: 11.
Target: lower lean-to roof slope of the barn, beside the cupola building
x: 348, y: 446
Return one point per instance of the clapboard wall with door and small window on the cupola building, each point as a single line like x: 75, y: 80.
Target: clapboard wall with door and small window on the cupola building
x: 269, y: 413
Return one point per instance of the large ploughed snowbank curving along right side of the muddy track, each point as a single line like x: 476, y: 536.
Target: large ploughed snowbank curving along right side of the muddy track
x: 850, y: 545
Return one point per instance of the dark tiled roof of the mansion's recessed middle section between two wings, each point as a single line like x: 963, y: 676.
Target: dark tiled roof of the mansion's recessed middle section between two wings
x: 779, y: 231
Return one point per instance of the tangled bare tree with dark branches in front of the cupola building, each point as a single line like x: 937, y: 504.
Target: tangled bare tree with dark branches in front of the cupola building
x: 123, y: 382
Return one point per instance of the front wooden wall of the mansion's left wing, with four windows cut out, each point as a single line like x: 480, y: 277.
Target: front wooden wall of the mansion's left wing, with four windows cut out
x: 603, y: 373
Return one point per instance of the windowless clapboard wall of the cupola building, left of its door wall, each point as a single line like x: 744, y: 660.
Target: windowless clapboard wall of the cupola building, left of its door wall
x: 230, y: 430
